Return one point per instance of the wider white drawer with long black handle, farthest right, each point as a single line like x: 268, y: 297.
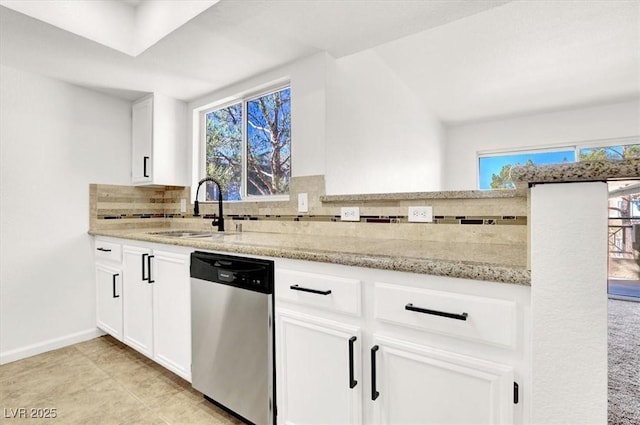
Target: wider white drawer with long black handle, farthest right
x: 468, y: 317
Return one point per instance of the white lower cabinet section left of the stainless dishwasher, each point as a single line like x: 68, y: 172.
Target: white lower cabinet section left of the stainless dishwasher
x: 145, y: 301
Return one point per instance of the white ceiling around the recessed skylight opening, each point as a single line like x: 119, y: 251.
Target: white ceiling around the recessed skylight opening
x: 468, y: 59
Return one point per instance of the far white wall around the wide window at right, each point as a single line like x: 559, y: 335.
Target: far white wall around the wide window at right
x: 578, y: 126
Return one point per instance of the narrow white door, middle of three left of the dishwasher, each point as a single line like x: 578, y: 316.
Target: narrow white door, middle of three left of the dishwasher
x: 138, y: 299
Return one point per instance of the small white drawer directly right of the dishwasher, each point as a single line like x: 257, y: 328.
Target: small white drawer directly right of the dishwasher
x: 318, y: 290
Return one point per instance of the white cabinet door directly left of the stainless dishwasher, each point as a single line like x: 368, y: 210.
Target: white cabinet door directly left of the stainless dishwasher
x: 172, y: 312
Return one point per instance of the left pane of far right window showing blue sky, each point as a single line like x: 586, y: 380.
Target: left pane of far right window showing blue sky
x: 494, y: 169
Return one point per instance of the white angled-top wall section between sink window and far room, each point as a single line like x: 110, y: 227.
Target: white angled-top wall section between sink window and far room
x: 380, y: 135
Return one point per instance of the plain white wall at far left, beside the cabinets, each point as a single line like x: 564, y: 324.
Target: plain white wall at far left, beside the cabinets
x: 55, y: 139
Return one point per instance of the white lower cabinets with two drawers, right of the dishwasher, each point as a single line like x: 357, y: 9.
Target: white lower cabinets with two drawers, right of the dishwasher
x: 425, y: 351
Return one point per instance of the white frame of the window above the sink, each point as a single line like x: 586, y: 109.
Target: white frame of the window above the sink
x: 199, y: 127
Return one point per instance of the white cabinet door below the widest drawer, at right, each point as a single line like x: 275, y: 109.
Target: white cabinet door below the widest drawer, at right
x: 422, y: 385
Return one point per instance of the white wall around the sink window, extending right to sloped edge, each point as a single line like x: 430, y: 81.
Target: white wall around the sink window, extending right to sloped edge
x: 354, y: 121
